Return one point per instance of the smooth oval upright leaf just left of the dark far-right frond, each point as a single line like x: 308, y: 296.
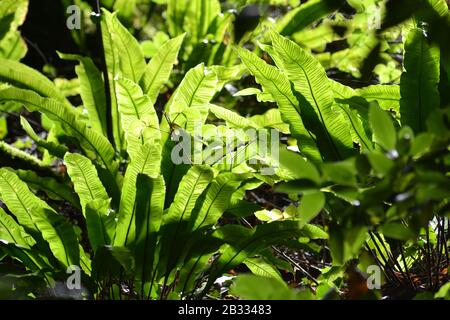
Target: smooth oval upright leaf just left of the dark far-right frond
x: 384, y: 133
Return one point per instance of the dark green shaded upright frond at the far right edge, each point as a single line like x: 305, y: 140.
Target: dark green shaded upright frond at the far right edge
x: 419, y: 84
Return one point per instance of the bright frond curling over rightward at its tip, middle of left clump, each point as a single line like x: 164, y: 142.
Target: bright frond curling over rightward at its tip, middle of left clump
x: 147, y: 161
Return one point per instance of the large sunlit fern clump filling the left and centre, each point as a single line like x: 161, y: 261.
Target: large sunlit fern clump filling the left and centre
x: 148, y: 228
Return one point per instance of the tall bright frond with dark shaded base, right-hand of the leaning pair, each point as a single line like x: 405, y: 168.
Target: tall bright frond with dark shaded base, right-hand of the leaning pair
x: 316, y: 102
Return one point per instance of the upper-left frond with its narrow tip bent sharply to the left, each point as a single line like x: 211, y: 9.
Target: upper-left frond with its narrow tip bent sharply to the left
x: 92, y: 91
